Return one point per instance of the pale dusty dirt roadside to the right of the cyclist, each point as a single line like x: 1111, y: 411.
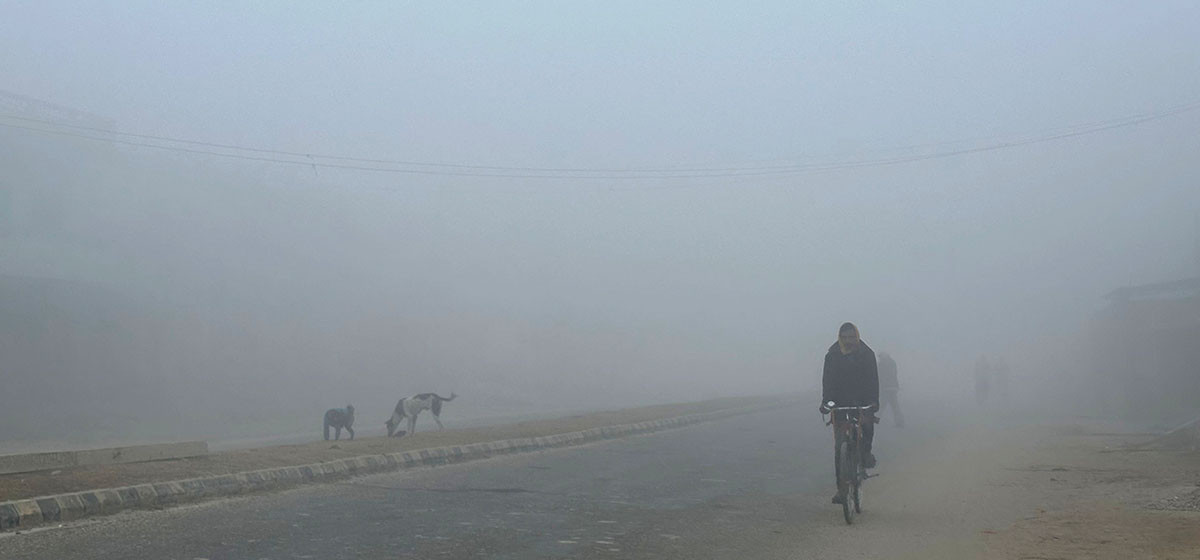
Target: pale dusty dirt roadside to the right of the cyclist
x: 1031, y: 493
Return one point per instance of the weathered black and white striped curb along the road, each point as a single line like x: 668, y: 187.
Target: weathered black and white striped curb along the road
x: 32, y: 513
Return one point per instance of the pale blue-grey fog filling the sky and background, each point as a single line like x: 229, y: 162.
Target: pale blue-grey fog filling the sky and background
x: 181, y: 291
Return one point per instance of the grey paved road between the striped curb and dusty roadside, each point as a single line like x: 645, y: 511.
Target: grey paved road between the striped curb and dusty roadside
x: 745, y: 486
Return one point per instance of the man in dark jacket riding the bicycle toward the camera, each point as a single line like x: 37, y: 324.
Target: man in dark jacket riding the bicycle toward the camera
x: 851, y: 378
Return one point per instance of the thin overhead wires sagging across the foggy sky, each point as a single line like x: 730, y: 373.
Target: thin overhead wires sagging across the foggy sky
x: 461, y: 170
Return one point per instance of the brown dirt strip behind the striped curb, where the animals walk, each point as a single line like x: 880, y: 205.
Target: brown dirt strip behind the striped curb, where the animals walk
x: 29, y: 485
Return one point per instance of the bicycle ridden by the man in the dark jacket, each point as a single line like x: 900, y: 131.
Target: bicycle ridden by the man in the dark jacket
x: 848, y: 436
